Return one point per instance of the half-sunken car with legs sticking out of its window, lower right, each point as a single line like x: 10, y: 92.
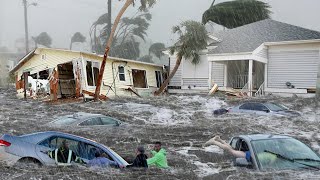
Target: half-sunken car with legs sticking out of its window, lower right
x: 275, y: 152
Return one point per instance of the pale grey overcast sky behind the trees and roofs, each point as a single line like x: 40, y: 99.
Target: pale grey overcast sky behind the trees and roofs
x: 62, y: 18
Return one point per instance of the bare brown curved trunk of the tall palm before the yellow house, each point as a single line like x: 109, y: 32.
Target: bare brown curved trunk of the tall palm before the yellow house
x: 109, y: 43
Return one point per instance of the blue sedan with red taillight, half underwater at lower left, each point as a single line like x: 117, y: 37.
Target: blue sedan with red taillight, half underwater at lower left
x: 33, y: 148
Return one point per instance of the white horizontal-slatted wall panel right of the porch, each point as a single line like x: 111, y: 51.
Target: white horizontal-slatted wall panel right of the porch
x: 295, y: 64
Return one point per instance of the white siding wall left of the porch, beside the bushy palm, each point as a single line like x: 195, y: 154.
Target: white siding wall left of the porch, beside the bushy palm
x: 195, y: 76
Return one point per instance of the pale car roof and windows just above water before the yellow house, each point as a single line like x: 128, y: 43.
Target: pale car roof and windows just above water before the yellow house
x: 85, y: 119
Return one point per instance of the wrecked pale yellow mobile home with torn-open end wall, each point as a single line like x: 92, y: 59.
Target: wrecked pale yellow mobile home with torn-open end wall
x: 64, y: 73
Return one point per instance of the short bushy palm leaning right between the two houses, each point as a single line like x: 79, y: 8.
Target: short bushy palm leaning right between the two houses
x: 192, y: 39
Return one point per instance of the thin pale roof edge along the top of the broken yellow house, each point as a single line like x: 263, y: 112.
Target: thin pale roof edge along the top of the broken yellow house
x: 28, y: 56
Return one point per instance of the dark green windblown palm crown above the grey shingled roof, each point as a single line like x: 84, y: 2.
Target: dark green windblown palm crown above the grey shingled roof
x: 232, y: 14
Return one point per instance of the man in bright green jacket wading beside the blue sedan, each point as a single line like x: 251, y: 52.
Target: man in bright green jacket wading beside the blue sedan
x: 159, y: 158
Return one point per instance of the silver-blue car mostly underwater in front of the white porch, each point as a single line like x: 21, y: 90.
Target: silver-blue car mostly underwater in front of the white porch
x: 259, y: 109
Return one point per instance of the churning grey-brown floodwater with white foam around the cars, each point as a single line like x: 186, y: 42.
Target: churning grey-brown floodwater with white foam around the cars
x: 181, y: 123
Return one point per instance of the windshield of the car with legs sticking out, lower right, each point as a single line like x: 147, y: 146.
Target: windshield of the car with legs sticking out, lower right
x: 290, y: 149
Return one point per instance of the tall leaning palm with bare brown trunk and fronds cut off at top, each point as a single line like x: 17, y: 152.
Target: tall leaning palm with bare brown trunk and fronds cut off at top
x: 143, y: 7
